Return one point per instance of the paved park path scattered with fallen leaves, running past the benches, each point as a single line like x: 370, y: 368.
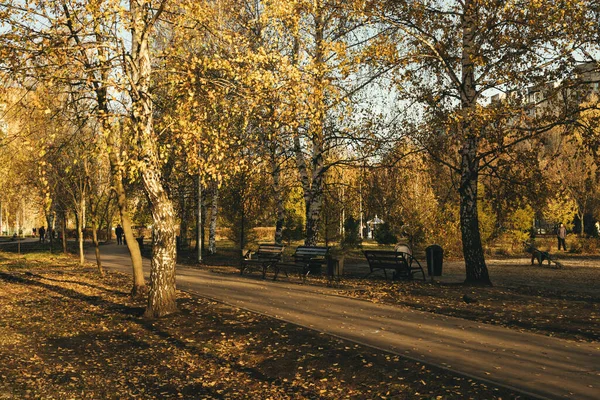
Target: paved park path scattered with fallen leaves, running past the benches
x: 536, y: 365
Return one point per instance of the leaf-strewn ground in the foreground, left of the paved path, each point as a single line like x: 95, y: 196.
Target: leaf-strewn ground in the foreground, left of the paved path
x: 67, y: 333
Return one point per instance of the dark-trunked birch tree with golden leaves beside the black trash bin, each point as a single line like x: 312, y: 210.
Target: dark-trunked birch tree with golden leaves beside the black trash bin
x: 449, y: 55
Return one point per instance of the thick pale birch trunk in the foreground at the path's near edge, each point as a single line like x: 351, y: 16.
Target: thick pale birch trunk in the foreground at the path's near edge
x: 161, y: 296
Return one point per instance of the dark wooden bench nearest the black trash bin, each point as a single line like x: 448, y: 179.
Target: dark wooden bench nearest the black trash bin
x: 403, y: 265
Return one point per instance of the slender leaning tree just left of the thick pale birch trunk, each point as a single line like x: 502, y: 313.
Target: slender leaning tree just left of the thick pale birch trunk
x: 75, y: 45
